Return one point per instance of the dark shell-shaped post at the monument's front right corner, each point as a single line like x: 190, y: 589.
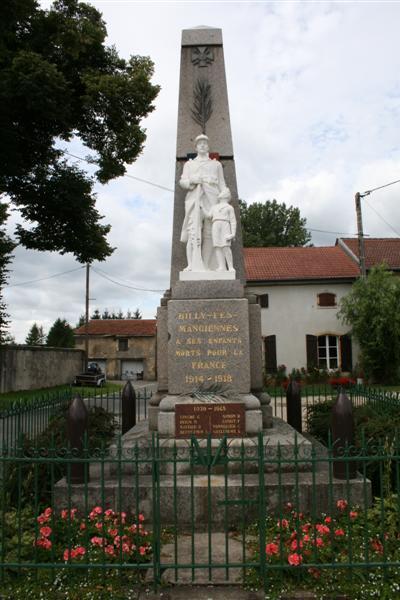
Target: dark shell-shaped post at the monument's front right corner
x: 343, y: 438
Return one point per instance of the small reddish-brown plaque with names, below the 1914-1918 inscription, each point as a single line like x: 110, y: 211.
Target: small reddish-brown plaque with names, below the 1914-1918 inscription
x: 200, y: 420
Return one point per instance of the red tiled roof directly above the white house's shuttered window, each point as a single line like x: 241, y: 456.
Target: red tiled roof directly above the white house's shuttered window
x: 285, y: 264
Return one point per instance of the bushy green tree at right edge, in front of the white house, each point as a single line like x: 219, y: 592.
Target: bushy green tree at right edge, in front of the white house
x: 372, y: 311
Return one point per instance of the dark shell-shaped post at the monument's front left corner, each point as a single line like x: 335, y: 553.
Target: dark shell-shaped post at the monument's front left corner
x: 77, y: 426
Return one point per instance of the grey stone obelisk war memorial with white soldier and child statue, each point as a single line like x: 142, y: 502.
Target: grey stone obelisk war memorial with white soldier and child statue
x: 210, y: 403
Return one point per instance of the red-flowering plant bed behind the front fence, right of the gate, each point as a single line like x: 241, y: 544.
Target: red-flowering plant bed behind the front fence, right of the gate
x: 298, y: 543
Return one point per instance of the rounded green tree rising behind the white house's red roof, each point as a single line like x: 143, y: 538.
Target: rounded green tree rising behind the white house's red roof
x: 272, y: 224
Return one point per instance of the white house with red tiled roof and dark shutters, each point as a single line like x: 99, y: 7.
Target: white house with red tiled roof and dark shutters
x: 299, y: 291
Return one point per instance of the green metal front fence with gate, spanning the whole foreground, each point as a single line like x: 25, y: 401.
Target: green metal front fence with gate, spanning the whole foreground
x: 199, y: 509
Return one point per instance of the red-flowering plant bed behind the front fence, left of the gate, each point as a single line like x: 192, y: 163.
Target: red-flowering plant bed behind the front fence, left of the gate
x: 68, y: 536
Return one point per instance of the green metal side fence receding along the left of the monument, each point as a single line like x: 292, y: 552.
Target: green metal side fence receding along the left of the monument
x: 32, y: 417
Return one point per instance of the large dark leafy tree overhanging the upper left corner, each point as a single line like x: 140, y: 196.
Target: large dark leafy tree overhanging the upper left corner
x: 59, y: 82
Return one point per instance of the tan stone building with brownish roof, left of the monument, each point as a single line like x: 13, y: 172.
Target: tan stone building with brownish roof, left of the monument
x: 123, y: 348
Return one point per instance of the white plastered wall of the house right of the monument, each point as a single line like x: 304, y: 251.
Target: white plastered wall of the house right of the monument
x: 293, y: 312
